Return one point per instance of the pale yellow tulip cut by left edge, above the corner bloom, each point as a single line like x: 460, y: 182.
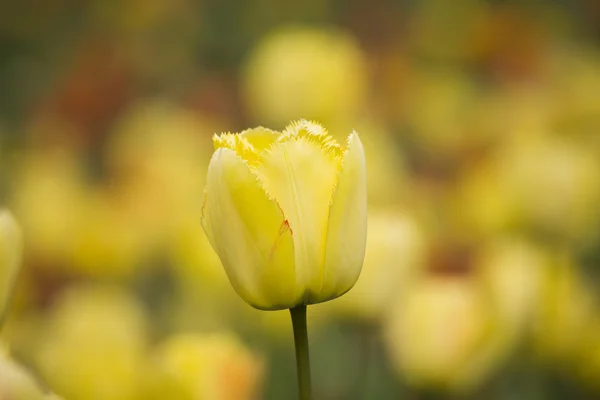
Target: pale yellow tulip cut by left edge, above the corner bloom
x: 10, y: 257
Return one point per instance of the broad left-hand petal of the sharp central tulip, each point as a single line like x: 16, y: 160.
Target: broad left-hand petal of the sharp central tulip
x: 247, y: 230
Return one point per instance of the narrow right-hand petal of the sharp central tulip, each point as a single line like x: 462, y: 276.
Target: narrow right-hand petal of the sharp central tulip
x: 347, y: 230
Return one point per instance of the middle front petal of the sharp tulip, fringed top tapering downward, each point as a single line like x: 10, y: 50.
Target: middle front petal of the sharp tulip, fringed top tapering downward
x: 301, y: 176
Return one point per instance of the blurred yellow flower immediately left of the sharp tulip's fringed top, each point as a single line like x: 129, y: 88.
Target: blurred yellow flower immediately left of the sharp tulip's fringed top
x: 156, y: 147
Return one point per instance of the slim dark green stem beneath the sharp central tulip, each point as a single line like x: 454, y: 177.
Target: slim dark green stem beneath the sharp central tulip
x: 302, y: 357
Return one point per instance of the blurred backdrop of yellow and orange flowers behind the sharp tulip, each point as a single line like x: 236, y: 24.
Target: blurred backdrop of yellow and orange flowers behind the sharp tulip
x: 481, y: 124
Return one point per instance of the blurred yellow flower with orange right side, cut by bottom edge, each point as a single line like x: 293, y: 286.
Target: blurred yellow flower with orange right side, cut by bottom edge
x: 205, y: 367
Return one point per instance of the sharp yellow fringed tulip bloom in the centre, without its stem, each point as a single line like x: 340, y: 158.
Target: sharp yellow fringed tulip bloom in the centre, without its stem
x: 286, y: 212
